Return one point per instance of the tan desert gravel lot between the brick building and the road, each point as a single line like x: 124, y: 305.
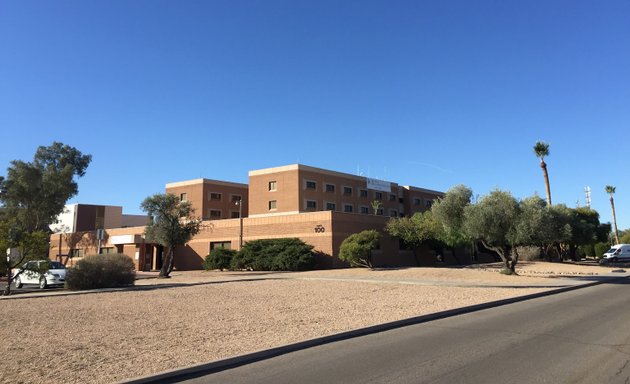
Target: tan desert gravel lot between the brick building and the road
x: 111, y: 336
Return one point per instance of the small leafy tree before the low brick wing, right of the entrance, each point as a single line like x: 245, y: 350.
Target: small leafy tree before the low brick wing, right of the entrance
x: 172, y: 224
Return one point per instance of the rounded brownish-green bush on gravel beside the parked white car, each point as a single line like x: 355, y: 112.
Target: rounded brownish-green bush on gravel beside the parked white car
x: 101, y: 271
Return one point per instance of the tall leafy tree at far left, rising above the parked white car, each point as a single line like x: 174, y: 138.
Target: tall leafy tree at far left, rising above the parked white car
x: 33, y: 194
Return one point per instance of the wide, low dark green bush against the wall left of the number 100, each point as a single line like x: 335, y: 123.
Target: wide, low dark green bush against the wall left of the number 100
x: 289, y: 254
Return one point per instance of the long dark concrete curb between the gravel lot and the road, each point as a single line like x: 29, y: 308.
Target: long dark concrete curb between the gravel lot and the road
x: 198, y: 370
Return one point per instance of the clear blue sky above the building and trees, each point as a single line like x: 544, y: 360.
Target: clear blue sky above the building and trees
x: 424, y: 93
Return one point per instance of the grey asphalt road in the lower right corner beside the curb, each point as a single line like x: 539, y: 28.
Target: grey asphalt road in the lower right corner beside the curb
x: 582, y: 336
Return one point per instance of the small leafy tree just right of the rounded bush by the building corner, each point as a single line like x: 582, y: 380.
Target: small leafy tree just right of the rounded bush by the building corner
x: 419, y: 229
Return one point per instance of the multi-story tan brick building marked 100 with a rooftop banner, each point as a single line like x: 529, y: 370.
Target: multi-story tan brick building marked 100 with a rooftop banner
x: 319, y: 206
